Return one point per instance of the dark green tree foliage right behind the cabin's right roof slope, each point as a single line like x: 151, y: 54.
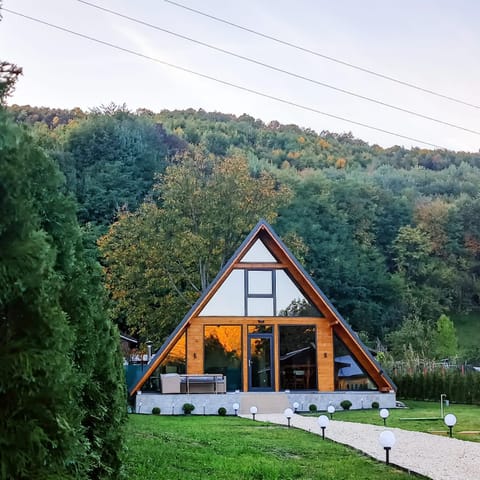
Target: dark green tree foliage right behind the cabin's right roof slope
x: 341, y: 255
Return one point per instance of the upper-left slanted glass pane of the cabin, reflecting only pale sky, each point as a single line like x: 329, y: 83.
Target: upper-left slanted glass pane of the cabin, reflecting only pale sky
x: 229, y: 298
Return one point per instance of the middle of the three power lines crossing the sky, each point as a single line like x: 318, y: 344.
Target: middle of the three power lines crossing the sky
x: 281, y: 70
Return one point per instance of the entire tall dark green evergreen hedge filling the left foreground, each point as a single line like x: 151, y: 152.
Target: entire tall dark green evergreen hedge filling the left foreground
x: 61, y: 383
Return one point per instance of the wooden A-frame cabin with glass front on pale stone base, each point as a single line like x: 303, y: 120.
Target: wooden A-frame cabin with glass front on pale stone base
x: 263, y: 325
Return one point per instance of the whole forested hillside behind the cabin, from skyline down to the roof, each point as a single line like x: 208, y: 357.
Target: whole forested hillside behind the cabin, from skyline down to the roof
x: 392, y: 236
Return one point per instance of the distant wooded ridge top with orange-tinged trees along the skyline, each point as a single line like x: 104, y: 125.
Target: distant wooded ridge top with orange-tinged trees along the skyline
x: 280, y: 145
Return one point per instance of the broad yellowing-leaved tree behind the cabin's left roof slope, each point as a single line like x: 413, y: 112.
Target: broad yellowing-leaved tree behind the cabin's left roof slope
x: 160, y: 258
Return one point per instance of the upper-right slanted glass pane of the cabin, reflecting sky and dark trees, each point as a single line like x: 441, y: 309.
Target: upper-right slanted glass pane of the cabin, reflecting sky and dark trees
x: 290, y: 300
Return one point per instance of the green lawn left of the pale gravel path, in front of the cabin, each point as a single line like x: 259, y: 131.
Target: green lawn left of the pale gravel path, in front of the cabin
x: 211, y: 447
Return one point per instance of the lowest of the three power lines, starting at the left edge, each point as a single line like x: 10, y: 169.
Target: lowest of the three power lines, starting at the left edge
x: 223, y: 82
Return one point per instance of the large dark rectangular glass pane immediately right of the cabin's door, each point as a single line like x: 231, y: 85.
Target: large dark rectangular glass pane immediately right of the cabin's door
x: 298, y: 357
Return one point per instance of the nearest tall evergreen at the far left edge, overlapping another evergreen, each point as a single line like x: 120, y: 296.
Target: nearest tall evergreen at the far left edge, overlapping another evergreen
x: 40, y: 422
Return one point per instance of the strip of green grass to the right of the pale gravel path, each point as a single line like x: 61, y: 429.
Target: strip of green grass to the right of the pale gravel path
x: 468, y: 418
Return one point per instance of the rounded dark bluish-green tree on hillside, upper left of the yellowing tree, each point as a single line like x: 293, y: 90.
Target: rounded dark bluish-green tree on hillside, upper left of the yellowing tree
x: 110, y: 161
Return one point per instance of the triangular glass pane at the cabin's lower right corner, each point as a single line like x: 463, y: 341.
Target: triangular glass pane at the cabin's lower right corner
x: 349, y: 375
